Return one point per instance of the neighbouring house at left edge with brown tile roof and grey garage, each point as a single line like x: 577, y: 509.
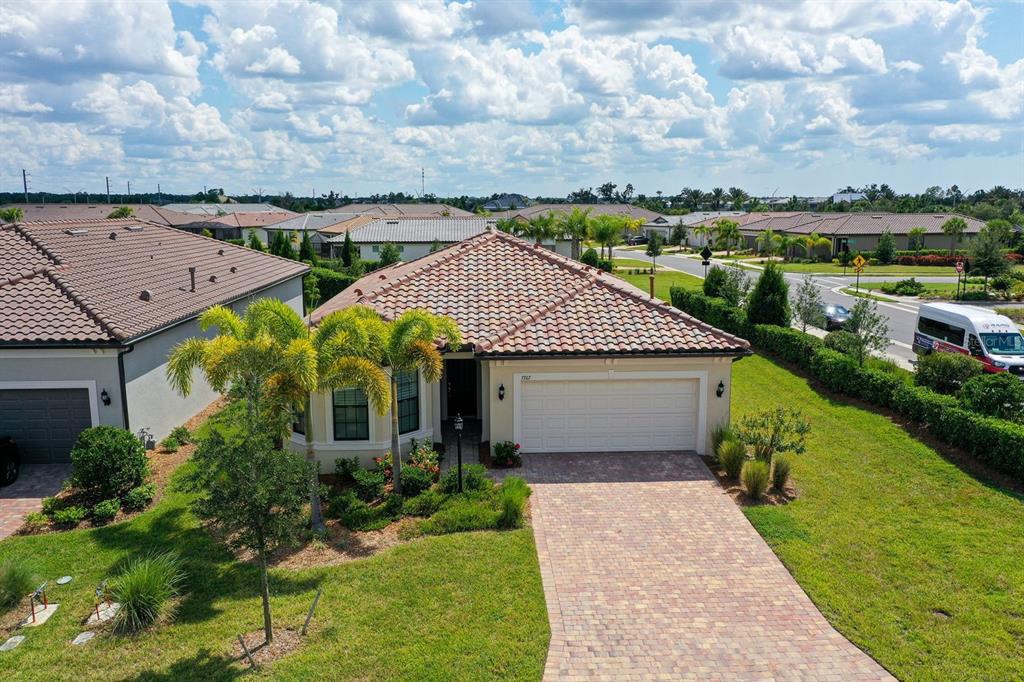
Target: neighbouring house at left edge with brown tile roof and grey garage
x: 90, y: 311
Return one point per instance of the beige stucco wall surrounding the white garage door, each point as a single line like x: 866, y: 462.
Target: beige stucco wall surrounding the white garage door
x: 500, y: 420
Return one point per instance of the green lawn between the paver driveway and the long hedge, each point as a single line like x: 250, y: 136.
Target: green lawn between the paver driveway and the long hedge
x: 888, y: 538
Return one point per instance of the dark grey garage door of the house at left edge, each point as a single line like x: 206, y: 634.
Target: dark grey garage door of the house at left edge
x: 45, y: 422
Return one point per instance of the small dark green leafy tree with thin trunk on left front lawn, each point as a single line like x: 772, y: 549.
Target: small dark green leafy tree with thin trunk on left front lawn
x: 254, y: 495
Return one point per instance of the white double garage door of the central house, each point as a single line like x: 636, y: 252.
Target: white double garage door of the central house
x: 603, y: 415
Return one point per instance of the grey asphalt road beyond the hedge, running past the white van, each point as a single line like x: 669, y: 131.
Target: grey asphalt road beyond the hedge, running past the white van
x: 903, y: 316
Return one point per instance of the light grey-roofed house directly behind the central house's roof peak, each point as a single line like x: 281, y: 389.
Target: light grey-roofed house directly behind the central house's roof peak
x: 416, y: 237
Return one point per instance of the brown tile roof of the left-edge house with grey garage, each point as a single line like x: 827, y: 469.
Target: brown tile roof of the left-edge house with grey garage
x: 83, y: 280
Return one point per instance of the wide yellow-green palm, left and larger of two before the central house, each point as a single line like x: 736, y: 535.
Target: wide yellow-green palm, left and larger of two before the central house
x: 272, y: 361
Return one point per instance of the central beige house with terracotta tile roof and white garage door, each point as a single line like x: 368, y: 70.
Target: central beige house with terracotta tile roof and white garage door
x: 558, y: 357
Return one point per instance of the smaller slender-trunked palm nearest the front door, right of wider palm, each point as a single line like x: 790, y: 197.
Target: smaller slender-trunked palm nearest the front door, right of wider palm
x: 410, y: 344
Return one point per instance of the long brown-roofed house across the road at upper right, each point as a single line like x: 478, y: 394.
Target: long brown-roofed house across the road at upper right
x: 860, y: 231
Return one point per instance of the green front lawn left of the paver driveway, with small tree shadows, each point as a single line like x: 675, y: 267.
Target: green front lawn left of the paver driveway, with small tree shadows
x: 462, y: 607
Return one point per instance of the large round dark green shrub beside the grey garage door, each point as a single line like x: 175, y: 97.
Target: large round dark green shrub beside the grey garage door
x: 107, y: 462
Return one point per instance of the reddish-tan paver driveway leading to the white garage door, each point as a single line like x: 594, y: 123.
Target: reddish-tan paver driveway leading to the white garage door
x: 651, y: 571
